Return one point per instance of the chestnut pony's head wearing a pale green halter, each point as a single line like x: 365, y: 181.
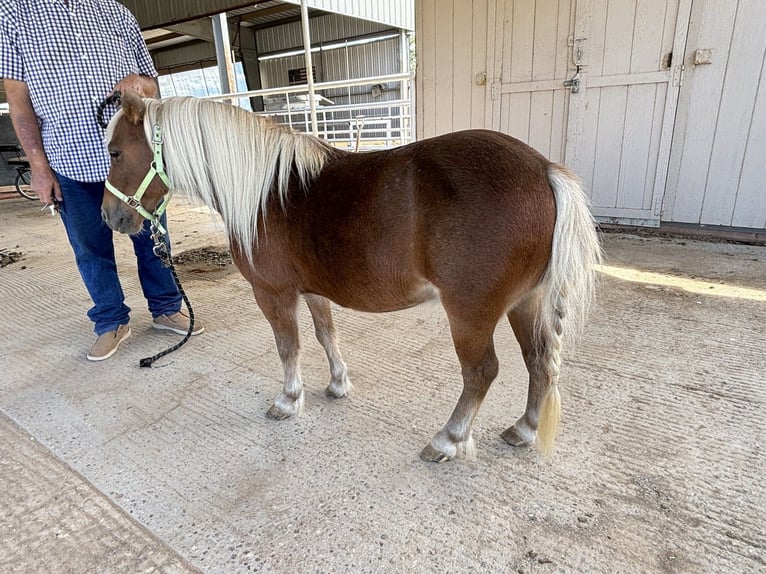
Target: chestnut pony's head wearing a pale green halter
x: 136, y: 187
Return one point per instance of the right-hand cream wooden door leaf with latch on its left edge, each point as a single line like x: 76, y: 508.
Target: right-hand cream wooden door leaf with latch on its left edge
x: 627, y: 58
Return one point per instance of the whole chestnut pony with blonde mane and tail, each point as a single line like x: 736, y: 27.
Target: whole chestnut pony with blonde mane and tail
x: 475, y: 219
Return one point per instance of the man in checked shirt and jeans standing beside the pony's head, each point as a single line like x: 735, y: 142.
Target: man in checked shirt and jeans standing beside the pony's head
x: 59, y: 59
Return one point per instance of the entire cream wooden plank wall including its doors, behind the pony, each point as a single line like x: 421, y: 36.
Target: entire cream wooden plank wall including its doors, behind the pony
x: 646, y: 147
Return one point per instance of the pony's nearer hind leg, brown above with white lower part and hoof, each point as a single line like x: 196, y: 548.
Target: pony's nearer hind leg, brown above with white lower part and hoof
x: 479, y: 365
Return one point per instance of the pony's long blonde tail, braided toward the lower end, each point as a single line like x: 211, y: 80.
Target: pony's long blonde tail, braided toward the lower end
x: 569, y: 285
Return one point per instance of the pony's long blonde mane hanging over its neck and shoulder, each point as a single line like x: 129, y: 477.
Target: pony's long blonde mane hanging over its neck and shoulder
x: 231, y: 159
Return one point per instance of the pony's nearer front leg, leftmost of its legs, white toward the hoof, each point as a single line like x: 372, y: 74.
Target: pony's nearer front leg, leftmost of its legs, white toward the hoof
x: 281, y: 312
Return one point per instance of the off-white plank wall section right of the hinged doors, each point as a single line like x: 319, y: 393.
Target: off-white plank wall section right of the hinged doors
x: 718, y: 164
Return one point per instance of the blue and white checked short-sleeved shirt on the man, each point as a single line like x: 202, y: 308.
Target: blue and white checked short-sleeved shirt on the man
x: 71, y: 55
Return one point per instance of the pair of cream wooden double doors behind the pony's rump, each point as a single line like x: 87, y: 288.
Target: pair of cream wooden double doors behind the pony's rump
x: 612, y: 124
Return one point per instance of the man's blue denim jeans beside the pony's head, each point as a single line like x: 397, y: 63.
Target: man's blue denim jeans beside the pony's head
x: 91, y: 241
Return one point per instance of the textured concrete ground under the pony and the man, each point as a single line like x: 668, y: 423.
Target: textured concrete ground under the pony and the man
x: 109, y: 467
